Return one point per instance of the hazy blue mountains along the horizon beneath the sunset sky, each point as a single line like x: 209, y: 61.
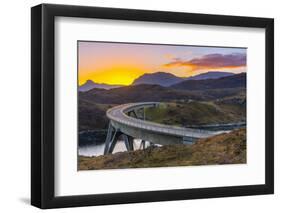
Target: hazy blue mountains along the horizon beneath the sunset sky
x: 158, y: 78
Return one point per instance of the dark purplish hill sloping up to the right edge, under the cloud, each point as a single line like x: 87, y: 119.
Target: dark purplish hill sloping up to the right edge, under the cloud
x: 233, y: 81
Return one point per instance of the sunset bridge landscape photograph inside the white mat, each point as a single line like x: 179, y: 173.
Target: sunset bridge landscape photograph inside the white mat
x: 144, y: 105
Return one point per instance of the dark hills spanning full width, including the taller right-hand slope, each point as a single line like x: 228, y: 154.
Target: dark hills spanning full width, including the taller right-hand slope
x: 188, y: 89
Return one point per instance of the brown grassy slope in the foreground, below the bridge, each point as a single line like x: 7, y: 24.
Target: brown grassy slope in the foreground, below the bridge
x: 221, y: 149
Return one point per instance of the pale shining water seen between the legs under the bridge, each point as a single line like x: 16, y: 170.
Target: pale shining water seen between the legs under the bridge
x: 96, y: 150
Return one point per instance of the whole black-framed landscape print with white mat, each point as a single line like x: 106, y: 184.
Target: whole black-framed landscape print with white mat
x: 140, y: 106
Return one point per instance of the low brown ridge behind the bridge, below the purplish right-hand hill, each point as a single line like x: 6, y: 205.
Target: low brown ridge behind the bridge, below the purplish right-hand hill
x: 144, y: 92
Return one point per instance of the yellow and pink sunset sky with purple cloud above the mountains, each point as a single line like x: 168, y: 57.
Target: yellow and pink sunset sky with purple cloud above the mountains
x: 122, y: 63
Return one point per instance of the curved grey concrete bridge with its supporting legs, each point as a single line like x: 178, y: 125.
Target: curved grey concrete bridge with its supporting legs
x: 127, y: 122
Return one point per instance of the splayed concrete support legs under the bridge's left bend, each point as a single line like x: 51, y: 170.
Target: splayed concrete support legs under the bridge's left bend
x: 112, y: 137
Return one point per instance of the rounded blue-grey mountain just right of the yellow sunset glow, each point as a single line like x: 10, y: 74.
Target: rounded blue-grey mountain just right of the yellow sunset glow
x: 160, y: 78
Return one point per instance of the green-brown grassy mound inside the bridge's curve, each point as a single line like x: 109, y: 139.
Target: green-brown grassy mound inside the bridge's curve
x: 196, y: 113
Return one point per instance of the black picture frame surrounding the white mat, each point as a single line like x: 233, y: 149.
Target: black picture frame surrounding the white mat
x: 43, y: 117
